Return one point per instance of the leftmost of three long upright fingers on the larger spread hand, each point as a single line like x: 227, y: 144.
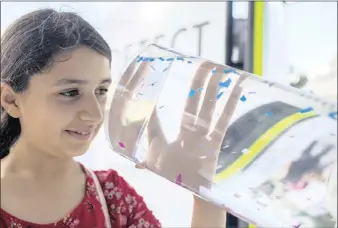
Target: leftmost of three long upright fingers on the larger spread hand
x: 191, y: 107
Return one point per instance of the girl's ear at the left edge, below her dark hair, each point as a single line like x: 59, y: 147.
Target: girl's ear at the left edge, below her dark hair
x: 8, y: 100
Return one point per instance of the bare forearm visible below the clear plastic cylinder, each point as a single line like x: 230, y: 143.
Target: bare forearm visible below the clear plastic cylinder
x: 207, y: 215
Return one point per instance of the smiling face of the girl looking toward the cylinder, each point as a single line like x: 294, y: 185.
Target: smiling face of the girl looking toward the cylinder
x: 62, y: 109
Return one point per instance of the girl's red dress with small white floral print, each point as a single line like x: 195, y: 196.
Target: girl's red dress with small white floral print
x: 126, y: 208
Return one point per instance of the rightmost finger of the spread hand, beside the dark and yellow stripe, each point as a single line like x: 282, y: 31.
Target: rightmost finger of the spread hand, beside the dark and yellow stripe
x: 228, y: 111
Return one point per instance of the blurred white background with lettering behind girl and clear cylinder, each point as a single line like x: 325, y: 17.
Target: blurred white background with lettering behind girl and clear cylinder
x: 293, y: 43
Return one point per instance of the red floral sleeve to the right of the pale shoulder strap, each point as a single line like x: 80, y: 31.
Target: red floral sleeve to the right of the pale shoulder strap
x: 126, y: 207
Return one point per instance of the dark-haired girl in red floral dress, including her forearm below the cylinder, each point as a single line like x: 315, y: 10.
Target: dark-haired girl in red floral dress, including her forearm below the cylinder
x: 55, y: 74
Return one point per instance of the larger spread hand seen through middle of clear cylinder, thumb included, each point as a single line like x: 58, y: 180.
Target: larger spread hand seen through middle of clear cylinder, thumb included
x: 193, y: 156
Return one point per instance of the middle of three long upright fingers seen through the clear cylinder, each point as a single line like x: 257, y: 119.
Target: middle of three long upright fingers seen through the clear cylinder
x: 209, y: 103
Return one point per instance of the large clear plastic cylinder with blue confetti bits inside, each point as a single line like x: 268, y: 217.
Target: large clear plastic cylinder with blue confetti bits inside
x: 261, y: 150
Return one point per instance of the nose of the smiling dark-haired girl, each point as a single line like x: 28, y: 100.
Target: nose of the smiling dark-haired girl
x: 92, y: 111
